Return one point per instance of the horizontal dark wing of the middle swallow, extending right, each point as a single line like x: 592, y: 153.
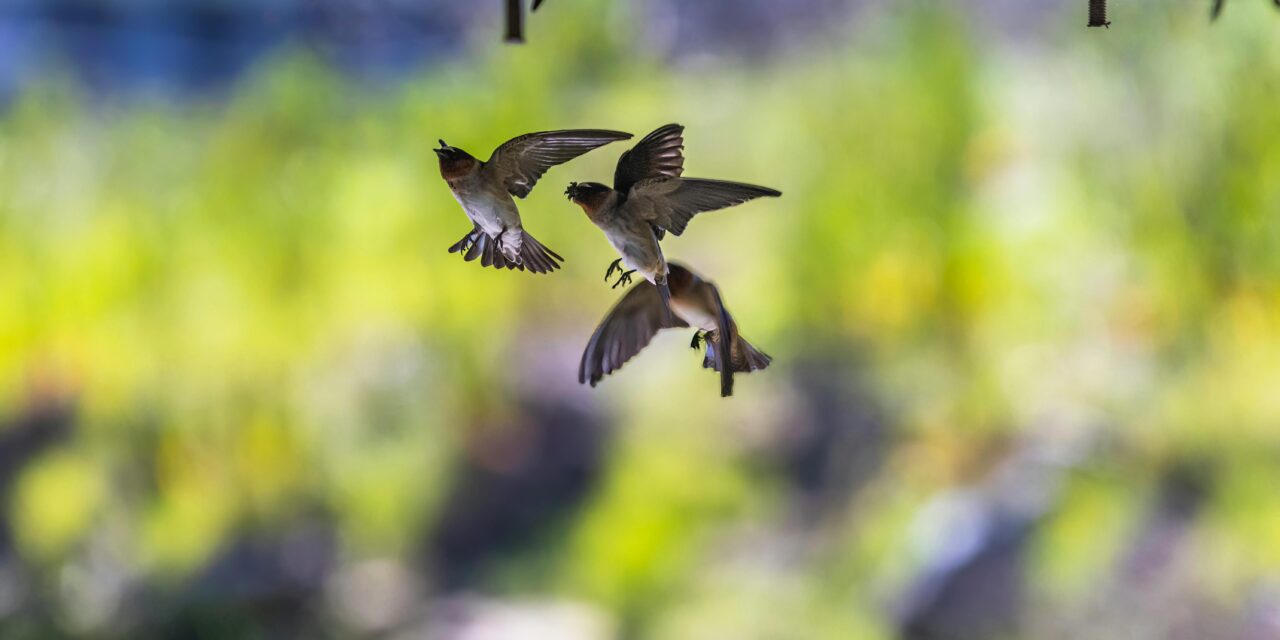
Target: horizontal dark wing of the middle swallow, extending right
x: 671, y: 203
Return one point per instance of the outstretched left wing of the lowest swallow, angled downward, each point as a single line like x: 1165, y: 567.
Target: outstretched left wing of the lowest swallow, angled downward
x: 629, y: 328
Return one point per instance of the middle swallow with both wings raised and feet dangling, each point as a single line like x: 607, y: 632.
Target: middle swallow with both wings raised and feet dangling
x: 650, y: 198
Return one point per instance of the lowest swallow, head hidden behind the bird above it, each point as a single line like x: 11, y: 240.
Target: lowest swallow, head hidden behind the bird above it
x: 697, y: 303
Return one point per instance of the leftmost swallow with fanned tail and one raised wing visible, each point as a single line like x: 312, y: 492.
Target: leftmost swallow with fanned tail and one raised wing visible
x: 486, y: 193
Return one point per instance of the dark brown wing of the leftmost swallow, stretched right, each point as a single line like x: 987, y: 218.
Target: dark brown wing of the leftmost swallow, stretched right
x: 519, y: 163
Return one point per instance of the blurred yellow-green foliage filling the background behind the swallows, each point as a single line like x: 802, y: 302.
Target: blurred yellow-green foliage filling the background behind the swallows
x: 252, y: 307
